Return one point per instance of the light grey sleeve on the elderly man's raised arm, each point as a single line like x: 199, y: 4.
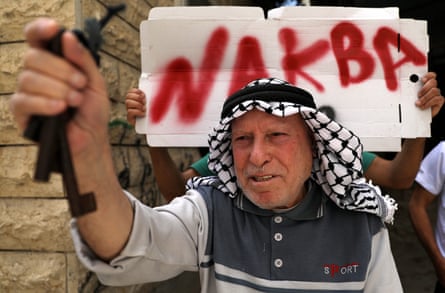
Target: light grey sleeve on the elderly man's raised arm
x: 164, y: 242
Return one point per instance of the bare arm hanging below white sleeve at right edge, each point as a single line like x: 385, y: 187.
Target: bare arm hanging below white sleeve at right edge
x: 418, y: 204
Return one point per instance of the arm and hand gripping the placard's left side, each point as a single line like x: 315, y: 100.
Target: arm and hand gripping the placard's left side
x: 171, y: 182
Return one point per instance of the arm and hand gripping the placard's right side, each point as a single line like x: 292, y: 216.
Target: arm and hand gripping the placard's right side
x: 399, y: 173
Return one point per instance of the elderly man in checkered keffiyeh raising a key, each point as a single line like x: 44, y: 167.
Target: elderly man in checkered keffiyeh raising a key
x: 289, y: 210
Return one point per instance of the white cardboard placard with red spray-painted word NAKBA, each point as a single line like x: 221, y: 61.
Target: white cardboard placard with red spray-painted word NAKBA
x: 359, y: 61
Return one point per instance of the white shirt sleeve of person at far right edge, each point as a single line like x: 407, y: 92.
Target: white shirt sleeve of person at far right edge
x: 431, y: 174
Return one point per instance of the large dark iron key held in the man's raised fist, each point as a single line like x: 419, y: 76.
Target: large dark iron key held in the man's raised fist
x: 50, y: 132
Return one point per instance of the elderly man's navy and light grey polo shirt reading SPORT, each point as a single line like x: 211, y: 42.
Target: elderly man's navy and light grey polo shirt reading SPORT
x: 238, y: 247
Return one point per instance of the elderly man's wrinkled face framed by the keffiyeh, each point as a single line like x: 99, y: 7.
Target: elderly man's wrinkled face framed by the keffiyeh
x: 272, y: 158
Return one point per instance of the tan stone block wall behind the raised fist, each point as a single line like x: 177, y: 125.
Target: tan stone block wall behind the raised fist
x: 36, y: 252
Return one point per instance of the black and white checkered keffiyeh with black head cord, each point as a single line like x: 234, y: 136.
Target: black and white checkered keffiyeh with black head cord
x: 337, y: 165
